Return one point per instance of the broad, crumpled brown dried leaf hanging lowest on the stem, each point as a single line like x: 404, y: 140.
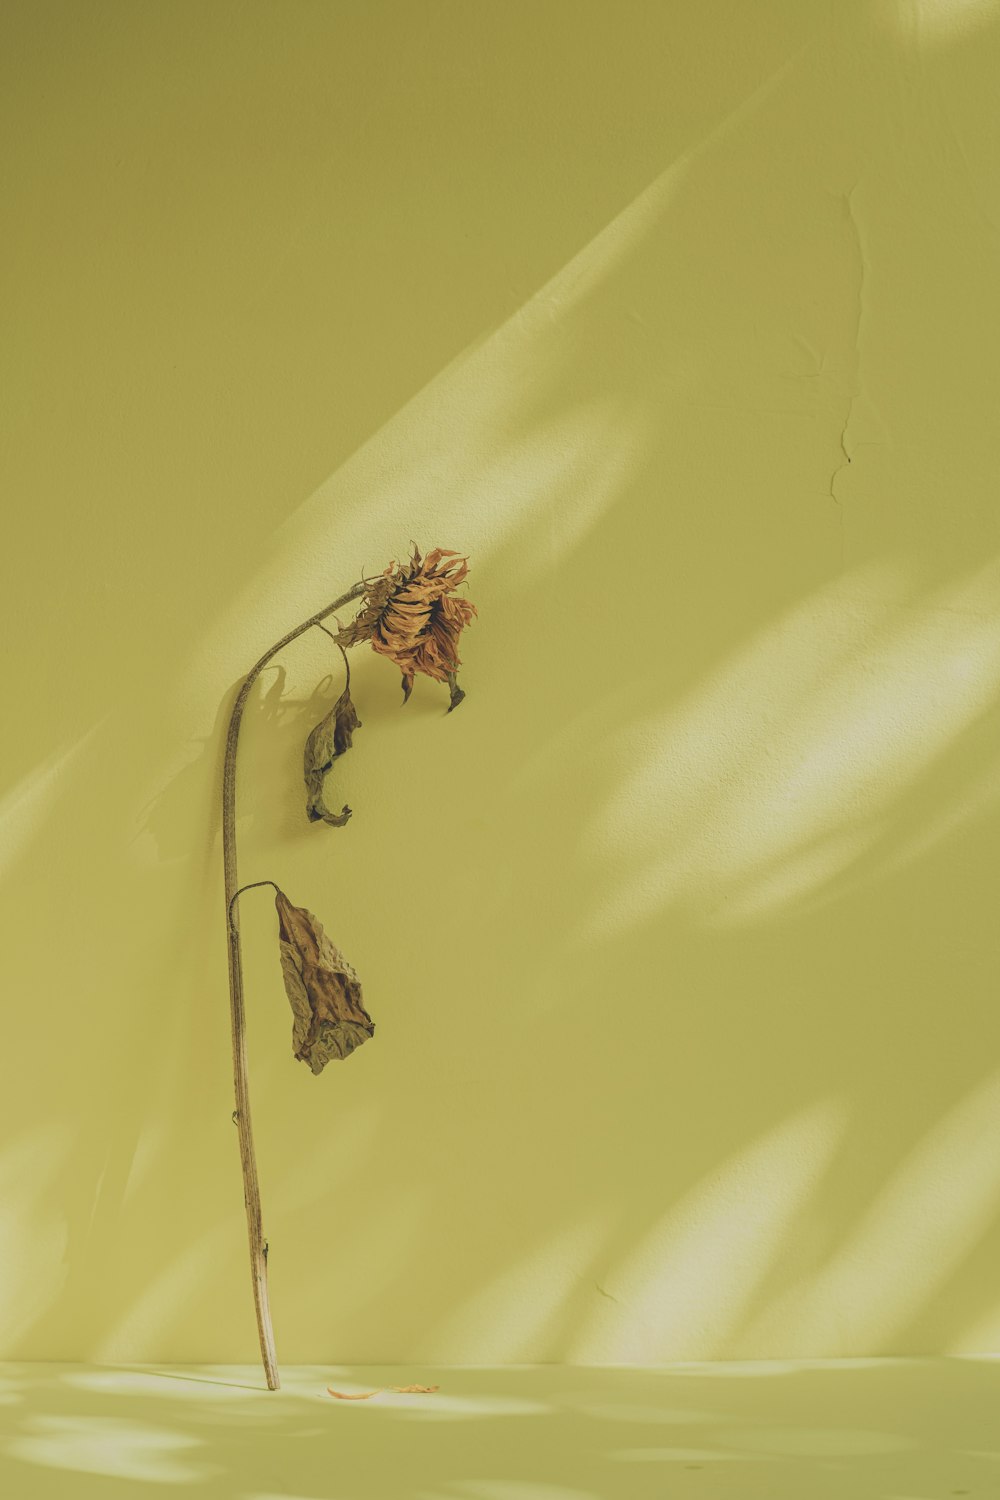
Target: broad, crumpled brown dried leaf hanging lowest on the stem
x: 323, y: 989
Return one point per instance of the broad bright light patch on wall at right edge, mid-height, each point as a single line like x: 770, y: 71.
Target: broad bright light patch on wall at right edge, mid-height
x: 785, y: 767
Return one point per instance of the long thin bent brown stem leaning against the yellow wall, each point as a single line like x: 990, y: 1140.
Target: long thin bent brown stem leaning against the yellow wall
x: 242, y: 1115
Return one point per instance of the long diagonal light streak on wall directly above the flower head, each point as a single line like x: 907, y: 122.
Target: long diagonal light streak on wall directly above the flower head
x: 454, y: 460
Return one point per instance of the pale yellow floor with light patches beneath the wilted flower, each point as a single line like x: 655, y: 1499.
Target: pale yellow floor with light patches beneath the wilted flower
x: 896, y: 1430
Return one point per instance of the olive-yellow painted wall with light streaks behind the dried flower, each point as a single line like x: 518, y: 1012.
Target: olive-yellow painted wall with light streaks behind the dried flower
x: 681, y: 934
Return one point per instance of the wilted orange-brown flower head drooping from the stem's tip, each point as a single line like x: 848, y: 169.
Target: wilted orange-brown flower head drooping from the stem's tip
x: 412, y: 614
